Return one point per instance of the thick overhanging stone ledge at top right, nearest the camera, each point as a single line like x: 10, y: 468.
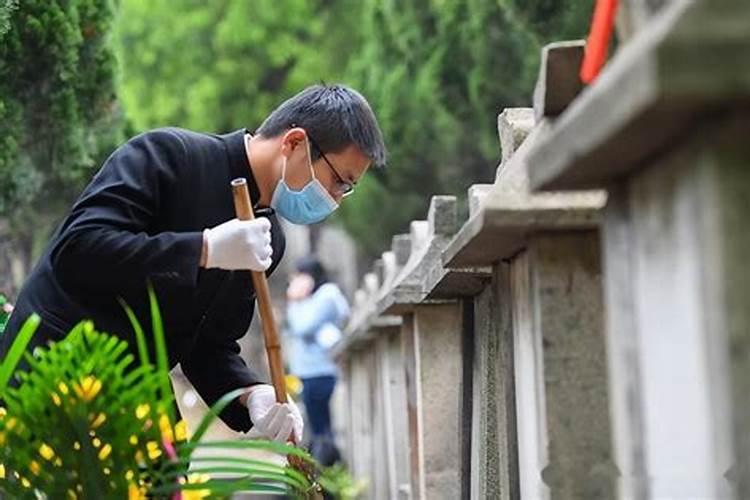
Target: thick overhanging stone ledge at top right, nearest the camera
x: 679, y: 68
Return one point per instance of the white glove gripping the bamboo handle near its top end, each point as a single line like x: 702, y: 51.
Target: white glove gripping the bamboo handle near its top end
x: 239, y: 245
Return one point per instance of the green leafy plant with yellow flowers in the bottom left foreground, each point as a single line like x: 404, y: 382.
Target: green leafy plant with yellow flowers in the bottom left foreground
x: 87, y: 421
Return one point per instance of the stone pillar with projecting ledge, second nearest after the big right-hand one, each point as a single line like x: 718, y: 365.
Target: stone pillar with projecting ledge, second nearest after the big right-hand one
x: 547, y: 310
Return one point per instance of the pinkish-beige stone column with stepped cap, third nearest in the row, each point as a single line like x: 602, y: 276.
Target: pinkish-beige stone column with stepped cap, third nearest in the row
x: 433, y: 344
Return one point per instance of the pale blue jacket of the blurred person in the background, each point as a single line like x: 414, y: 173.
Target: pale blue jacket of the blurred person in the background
x: 313, y: 324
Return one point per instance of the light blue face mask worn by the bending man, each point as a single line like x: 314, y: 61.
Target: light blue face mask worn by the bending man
x: 309, y: 205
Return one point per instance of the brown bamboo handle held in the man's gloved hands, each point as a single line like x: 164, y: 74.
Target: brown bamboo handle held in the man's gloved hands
x: 244, y: 211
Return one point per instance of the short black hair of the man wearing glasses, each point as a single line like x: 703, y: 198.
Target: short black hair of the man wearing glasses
x: 335, y: 116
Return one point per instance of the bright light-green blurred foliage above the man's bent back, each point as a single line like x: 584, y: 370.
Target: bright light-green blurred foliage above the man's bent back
x: 216, y: 66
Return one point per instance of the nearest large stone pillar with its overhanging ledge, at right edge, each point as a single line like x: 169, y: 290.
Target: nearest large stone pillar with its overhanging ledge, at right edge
x: 674, y: 160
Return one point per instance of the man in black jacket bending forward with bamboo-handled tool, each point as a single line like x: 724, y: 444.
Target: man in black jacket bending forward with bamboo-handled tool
x: 161, y: 211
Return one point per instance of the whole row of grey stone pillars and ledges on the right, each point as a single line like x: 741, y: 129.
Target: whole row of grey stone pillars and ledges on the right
x: 585, y: 333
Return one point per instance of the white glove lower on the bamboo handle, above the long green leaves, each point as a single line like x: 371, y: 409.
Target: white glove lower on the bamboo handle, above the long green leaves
x: 272, y: 420
